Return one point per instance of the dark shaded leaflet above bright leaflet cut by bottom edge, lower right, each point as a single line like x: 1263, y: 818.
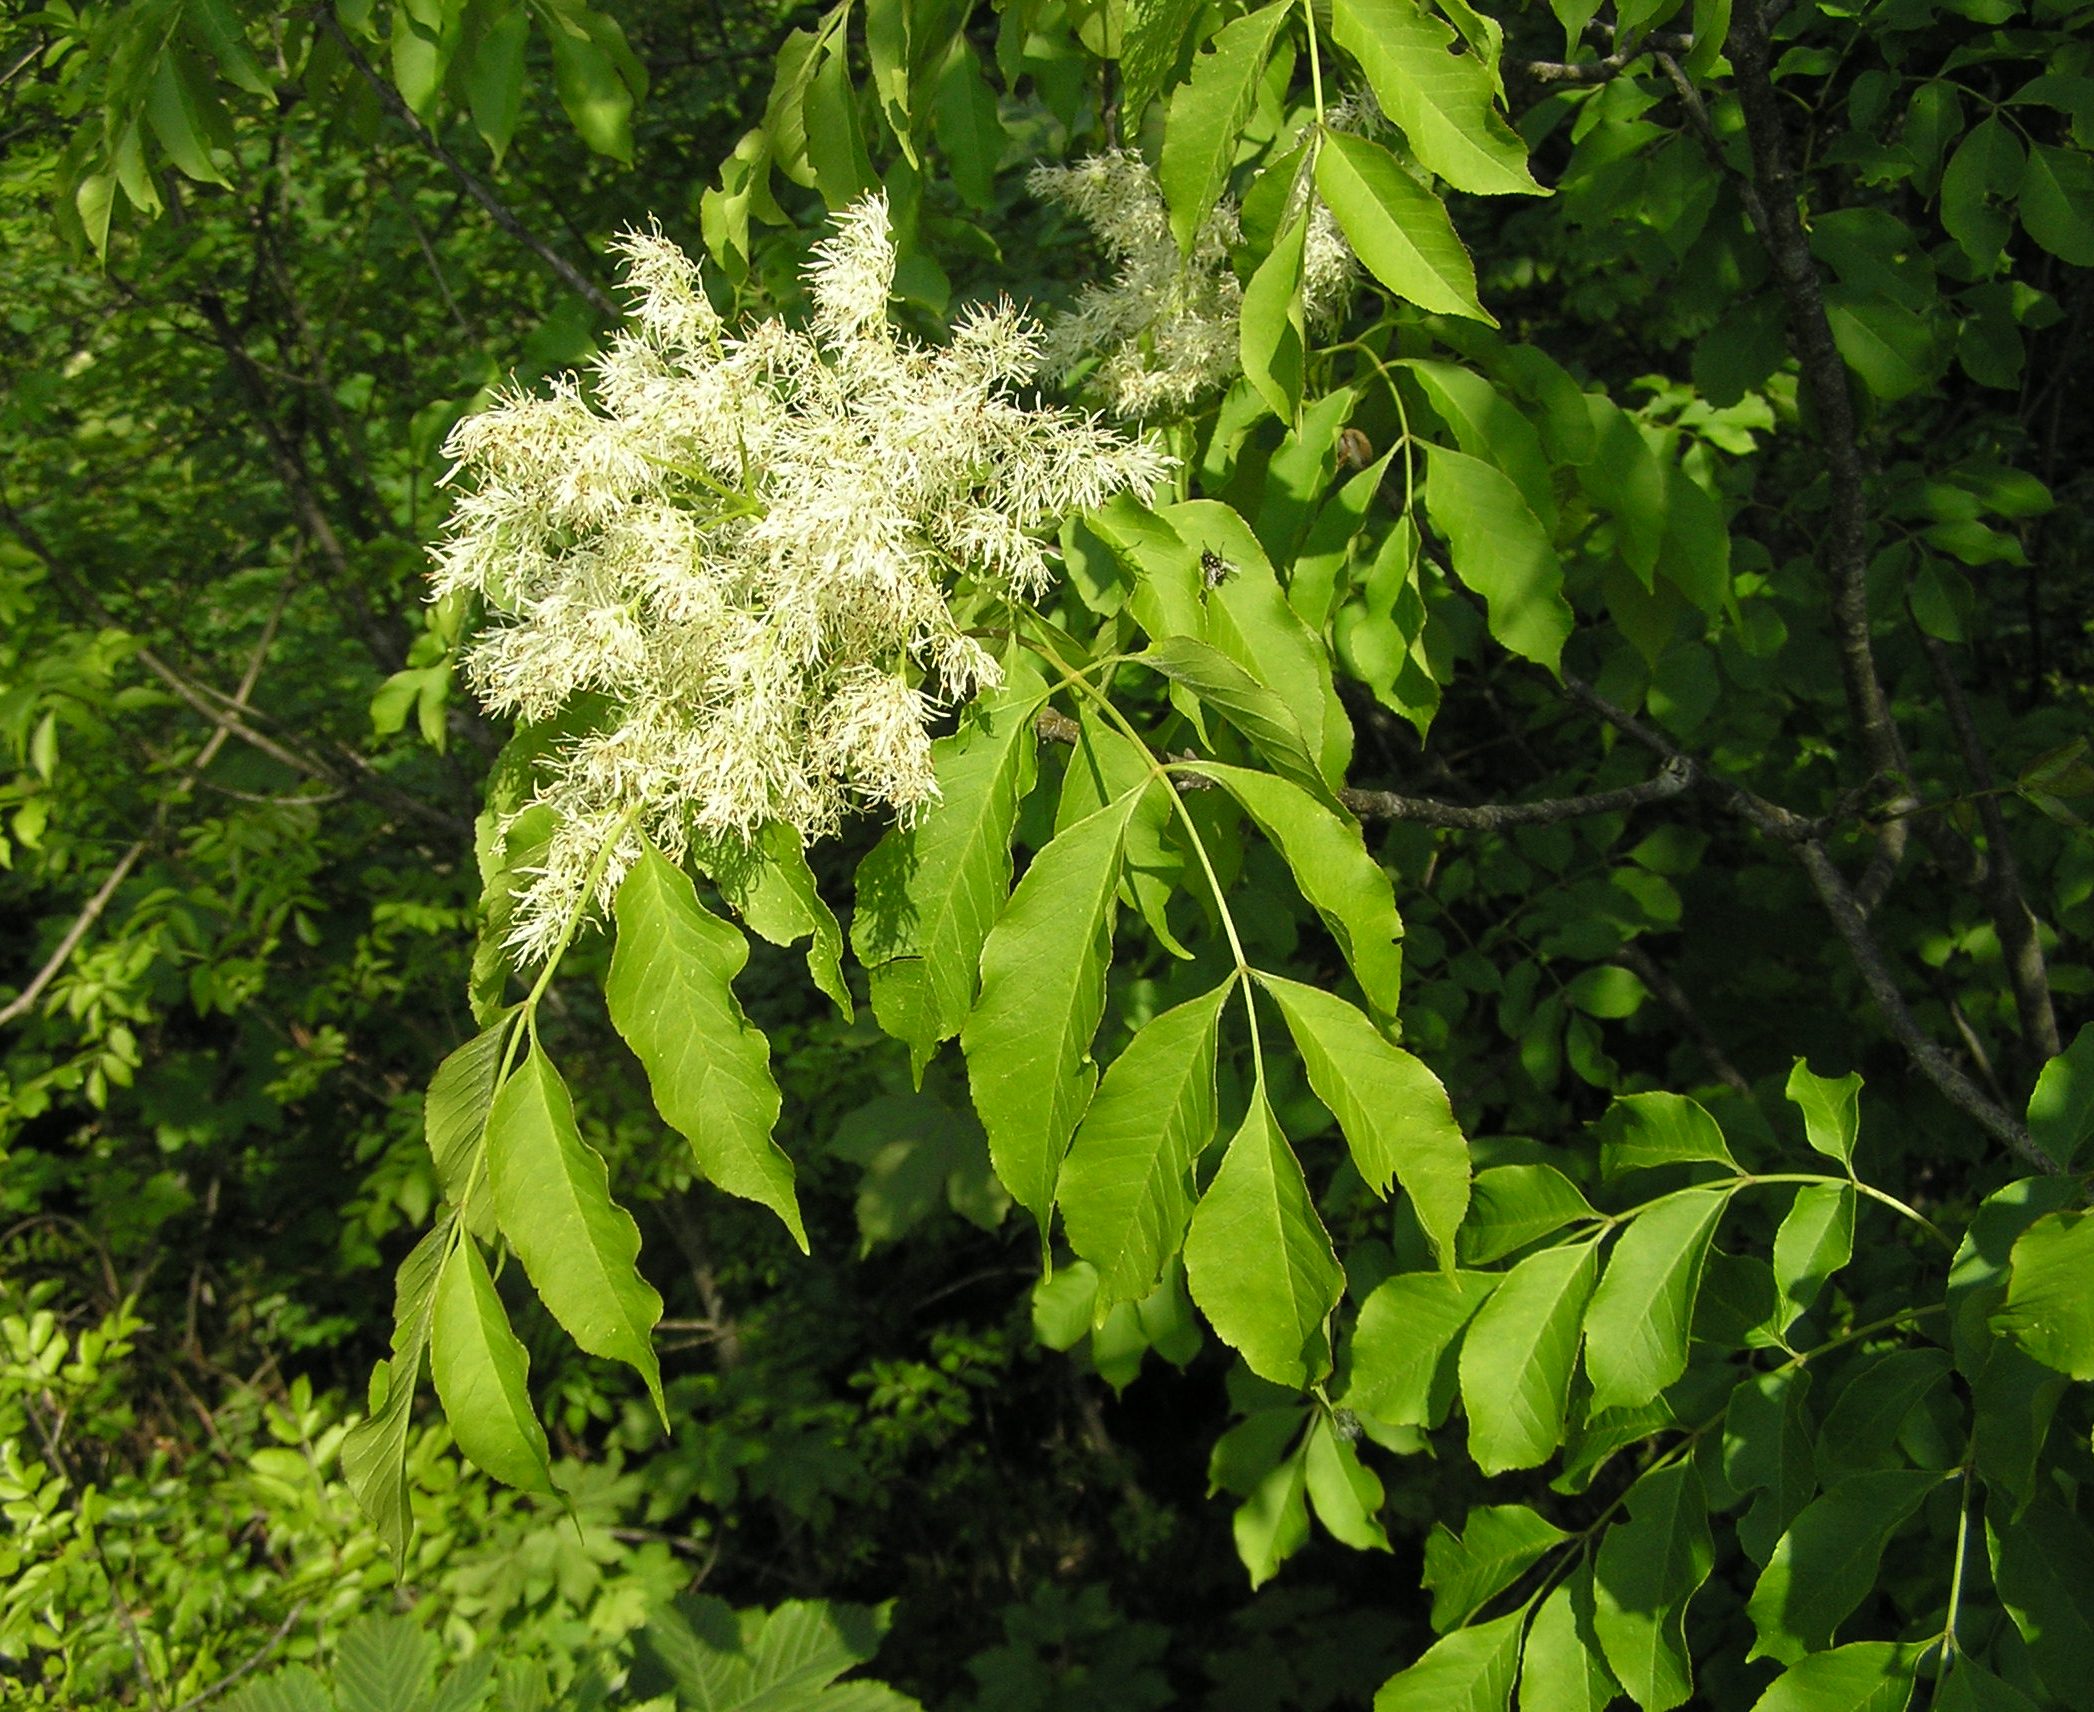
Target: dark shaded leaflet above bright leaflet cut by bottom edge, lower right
x: 1827, y: 1562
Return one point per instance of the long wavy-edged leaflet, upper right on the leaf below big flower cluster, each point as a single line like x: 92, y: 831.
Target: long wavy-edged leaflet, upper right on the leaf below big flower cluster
x: 673, y: 999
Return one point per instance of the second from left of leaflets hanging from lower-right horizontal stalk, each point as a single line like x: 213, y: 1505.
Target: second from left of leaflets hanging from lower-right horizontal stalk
x: 1519, y: 1355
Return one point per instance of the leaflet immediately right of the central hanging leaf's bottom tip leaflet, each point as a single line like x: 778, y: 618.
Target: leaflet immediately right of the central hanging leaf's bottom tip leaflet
x: 1394, y: 1110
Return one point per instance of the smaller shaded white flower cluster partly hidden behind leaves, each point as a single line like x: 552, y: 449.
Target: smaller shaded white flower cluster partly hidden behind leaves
x: 1167, y: 328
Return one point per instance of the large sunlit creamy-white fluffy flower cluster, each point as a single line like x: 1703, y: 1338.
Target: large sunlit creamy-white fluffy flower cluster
x: 744, y: 543
